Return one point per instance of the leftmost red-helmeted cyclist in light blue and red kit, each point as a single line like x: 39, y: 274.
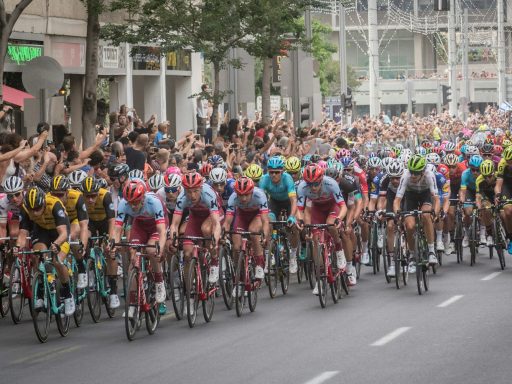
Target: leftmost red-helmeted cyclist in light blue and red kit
x: 148, y: 227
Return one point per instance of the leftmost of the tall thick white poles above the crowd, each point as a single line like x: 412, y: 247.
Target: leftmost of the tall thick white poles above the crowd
x: 373, y: 47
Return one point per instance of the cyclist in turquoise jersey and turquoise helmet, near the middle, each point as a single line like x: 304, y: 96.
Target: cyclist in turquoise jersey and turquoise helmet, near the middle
x: 280, y: 188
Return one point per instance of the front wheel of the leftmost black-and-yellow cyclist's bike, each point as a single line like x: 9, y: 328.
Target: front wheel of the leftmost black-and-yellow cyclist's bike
x: 41, y: 314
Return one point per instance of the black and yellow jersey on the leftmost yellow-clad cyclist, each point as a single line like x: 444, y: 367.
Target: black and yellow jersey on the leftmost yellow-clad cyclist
x: 53, y: 216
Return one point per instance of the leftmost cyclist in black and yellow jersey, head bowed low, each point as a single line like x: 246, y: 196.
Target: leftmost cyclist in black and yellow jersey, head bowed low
x: 44, y: 218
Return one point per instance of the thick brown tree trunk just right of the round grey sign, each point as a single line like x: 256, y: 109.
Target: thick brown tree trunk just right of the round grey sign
x: 89, y: 111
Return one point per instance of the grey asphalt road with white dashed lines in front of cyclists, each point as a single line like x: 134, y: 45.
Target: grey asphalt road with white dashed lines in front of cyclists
x: 459, y: 332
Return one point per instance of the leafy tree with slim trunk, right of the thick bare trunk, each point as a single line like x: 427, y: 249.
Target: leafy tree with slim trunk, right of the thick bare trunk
x: 211, y: 27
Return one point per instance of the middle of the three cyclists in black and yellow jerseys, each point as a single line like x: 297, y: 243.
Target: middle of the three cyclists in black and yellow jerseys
x: 74, y: 203
